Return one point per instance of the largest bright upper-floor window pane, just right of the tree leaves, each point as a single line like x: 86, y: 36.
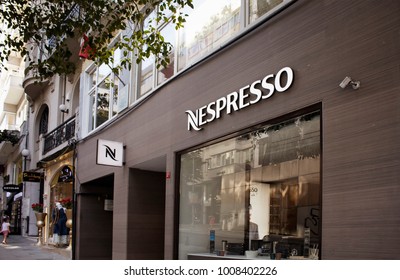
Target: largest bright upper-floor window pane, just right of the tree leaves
x: 207, y: 27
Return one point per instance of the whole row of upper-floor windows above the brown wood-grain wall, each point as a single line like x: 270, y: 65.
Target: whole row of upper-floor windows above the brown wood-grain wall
x: 208, y: 27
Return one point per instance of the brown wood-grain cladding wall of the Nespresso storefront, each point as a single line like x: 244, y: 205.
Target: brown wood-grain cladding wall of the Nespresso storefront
x: 323, y: 41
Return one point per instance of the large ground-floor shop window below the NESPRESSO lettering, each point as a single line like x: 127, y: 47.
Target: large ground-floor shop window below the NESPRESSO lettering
x: 258, y: 191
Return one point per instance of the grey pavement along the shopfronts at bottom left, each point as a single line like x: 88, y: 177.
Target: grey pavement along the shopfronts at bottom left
x: 25, y: 248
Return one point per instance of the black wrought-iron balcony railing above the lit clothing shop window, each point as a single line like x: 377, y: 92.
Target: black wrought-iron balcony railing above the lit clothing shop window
x: 60, y: 135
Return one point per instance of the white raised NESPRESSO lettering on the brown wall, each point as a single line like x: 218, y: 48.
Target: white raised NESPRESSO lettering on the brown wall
x: 244, y: 97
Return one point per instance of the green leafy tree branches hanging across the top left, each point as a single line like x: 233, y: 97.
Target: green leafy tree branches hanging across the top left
x: 42, y: 31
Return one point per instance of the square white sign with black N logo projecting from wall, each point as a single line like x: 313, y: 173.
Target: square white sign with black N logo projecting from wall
x: 110, y: 153
